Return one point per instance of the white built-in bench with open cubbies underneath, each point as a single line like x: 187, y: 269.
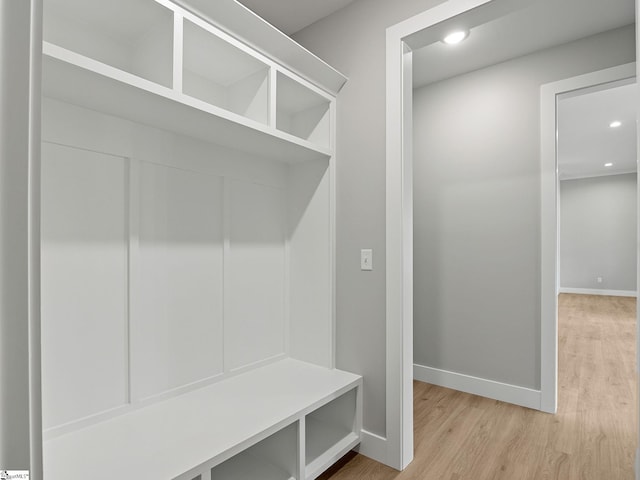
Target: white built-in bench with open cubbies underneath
x: 288, y: 420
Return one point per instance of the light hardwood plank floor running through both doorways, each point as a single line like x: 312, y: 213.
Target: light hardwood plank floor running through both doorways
x: 593, y: 436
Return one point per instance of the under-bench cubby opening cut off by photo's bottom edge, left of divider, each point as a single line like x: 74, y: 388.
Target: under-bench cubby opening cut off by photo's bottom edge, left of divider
x: 274, y: 458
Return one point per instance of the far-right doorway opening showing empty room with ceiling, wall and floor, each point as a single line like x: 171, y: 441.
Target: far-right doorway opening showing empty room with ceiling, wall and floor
x: 597, y: 249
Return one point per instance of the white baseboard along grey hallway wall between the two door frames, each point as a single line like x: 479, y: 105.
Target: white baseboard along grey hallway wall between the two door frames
x: 504, y: 392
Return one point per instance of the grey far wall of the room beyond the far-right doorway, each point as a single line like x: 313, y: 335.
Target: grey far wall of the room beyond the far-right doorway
x: 598, y: 233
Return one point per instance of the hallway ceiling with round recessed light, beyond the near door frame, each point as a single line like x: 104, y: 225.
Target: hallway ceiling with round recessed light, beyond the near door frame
x: 540, y: 24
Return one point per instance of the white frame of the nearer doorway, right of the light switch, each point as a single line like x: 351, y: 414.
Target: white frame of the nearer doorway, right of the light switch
x: 401, y: 39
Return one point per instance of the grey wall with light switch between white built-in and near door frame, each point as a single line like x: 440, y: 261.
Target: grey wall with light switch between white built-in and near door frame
x: 353, y: 41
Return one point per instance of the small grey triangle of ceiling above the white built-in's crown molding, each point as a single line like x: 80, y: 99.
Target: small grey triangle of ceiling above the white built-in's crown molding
x: 291, y: 16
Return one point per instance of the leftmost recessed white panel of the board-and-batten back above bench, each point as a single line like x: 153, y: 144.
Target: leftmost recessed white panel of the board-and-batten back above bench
x: 84, y: 283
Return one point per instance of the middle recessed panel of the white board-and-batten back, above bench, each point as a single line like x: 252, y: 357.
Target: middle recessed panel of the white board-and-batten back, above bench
x: 177, y: 327
